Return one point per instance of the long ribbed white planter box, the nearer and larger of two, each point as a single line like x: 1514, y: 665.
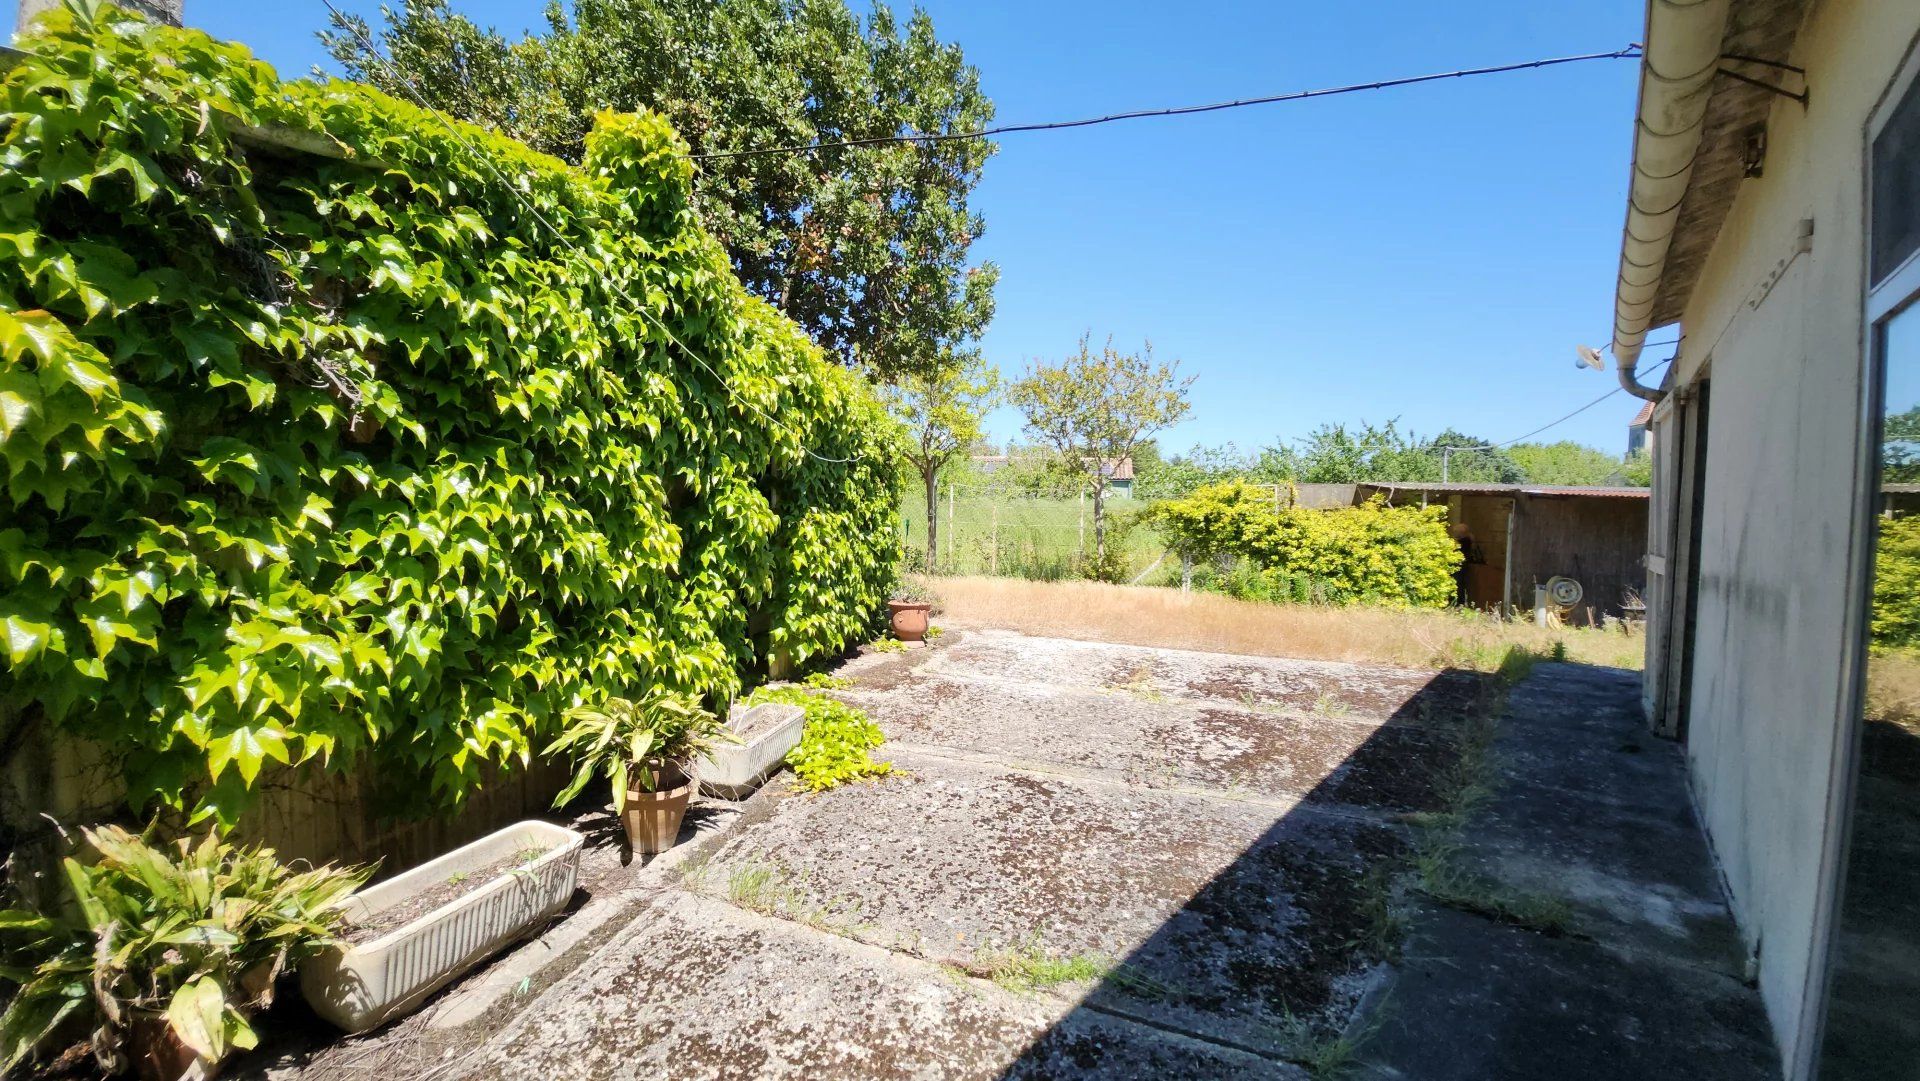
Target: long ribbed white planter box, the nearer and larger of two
x: 366, y: 984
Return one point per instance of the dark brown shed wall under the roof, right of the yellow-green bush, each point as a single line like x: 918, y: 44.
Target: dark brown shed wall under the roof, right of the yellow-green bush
x: 1596, y: 542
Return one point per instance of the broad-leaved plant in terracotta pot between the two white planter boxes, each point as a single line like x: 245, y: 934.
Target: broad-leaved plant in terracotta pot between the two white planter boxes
x: 646, y: 752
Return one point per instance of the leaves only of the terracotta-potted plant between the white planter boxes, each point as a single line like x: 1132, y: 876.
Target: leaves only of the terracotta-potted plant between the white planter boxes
x: 635, y: 744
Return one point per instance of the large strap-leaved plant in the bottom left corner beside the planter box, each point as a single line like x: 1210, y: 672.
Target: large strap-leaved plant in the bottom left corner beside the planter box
x: 189, y: 934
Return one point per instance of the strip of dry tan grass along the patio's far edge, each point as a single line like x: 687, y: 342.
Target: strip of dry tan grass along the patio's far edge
x: 1149, y: 615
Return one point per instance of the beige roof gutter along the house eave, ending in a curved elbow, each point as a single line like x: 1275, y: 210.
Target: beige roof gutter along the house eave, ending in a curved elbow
x: 1681, y: 59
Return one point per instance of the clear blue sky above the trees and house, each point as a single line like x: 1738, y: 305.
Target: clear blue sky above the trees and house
x: 1429, y: 254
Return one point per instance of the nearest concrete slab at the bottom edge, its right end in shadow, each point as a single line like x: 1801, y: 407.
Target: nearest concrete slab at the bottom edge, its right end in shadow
x: 700, y: 990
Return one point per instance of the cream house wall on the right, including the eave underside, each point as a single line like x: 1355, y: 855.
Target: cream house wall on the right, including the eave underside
x: 1781, y: 500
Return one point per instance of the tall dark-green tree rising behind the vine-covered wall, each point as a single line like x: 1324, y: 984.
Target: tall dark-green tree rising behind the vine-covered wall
x: 865, y: 247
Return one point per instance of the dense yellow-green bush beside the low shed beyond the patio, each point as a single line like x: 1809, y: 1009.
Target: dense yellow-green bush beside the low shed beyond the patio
x: 1399, y: 556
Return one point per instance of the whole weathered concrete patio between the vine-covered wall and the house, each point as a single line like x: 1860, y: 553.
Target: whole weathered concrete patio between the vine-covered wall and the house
x: 1216, y: 855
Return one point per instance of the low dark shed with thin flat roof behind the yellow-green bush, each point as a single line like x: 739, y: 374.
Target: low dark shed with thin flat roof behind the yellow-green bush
x: 1520, y: 537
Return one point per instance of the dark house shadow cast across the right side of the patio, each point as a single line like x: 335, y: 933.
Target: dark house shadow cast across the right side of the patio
x: 1535, y: 901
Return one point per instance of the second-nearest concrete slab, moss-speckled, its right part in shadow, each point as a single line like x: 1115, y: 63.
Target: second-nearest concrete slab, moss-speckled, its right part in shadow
x: 1226, y: 917
